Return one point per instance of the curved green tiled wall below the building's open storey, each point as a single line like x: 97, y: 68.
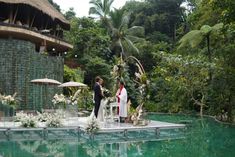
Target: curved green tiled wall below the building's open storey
x: 19, y: 64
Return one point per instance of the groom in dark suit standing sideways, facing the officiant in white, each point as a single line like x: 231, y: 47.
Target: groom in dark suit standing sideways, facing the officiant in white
x: 97, y: 95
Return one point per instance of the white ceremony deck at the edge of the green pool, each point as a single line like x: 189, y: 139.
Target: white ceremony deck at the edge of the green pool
x: 80, y: 123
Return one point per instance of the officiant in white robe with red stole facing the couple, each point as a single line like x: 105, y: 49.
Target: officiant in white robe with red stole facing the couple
x: 121, y: 96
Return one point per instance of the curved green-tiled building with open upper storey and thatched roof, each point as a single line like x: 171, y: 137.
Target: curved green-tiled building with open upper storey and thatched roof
x: 31, y: 46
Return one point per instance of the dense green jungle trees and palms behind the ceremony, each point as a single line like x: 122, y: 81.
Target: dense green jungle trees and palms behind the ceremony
x: 185, y: 46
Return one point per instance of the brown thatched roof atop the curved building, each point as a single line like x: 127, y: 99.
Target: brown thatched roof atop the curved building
x: 43, y: 6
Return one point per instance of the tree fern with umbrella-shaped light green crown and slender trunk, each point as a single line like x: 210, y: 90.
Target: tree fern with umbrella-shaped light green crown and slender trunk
x: 195, y: 37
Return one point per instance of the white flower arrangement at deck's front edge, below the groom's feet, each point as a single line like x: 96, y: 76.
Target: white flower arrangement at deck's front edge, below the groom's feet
x: 92, y: 125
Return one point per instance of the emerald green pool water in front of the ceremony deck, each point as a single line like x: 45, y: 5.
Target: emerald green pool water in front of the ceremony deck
x: 202, y: 138
